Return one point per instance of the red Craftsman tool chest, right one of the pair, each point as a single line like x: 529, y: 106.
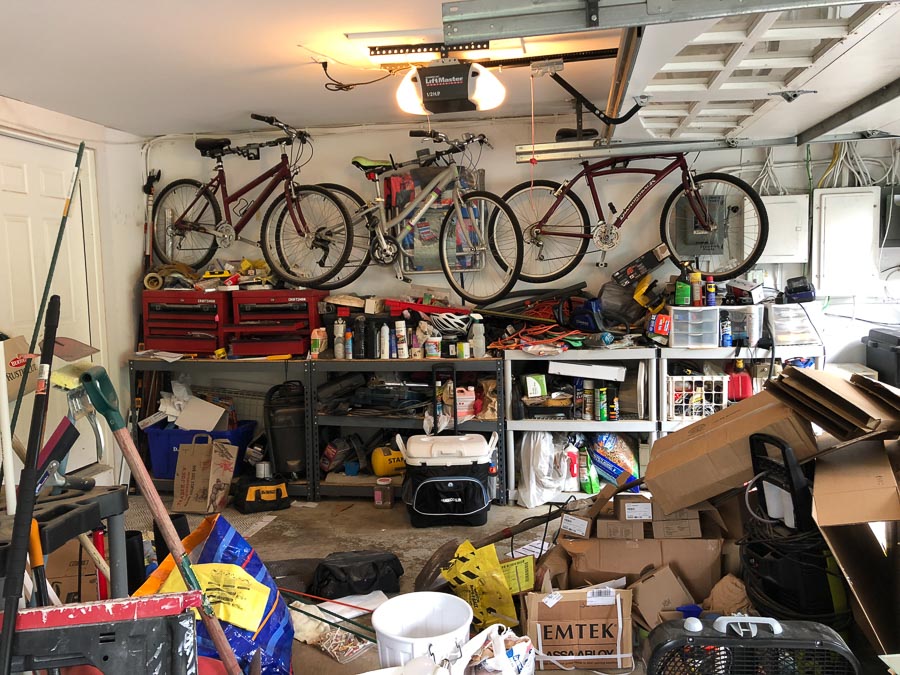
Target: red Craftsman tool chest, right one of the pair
x: 273, y: 322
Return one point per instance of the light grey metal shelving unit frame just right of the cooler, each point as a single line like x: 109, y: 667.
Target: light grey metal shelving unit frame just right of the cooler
x: 649, y: 425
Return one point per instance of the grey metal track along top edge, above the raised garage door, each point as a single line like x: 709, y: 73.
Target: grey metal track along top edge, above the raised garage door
x: 467, y: 20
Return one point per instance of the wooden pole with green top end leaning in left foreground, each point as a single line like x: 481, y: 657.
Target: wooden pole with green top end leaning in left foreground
x: 102, y: 394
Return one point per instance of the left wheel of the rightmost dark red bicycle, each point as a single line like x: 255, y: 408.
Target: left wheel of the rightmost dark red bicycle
x: 562, y: 241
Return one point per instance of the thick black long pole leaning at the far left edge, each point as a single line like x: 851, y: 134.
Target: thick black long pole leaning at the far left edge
x: 18, y: 546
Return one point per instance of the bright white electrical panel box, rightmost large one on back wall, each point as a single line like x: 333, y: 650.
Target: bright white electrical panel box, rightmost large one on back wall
x: 845, y: 241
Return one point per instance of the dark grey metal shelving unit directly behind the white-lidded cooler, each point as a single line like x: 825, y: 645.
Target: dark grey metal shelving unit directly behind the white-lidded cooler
x: 362, y: 486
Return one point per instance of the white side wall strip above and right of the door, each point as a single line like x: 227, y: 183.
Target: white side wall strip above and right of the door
x: 117, y: 163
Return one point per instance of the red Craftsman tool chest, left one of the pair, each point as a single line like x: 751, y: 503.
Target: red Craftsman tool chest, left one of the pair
x: 188, y: 322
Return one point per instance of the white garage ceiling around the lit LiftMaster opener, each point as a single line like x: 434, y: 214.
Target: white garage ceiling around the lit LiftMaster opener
x: 172, y: 66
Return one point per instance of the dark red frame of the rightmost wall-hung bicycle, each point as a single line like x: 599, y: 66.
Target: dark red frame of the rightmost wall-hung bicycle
x: 608, y: 167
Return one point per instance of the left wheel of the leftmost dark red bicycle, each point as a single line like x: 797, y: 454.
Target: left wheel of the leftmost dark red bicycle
x: 185, y: 216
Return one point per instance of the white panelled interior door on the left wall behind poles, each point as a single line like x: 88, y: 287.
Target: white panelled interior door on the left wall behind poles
x: 34, y: 184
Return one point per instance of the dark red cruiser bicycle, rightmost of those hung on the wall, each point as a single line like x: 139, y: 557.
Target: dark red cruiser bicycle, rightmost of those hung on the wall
x: 713, y: 223
